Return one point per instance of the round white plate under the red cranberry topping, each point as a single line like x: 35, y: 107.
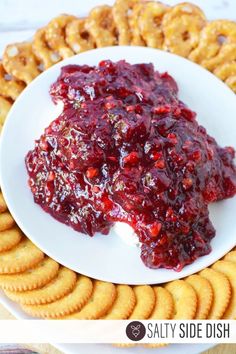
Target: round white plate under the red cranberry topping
x: 108, y: 257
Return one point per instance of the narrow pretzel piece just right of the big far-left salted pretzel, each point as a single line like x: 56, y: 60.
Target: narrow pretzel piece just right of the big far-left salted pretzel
x: 45, y: 55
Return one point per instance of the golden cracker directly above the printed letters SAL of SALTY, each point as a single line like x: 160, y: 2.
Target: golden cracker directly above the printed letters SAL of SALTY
x: 164, y: 305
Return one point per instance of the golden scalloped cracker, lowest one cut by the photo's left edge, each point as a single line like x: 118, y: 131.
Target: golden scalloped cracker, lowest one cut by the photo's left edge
x: 32, y: 278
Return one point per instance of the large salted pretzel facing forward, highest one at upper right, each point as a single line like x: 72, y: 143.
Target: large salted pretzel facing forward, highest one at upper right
x: 182, y: 25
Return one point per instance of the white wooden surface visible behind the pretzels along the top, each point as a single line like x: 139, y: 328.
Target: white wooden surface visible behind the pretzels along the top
x: 20, y: 18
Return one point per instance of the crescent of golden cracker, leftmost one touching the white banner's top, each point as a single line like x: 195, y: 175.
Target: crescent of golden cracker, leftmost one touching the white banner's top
x: 67, y: 304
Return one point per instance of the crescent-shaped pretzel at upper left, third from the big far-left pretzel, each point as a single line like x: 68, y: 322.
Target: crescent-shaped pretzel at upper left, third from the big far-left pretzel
x: 55, y: 35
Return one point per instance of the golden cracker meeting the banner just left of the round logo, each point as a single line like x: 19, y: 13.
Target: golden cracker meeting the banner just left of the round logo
x: 123, y: 304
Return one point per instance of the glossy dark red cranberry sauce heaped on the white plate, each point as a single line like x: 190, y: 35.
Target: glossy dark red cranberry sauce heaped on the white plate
x: 125, y: 148
